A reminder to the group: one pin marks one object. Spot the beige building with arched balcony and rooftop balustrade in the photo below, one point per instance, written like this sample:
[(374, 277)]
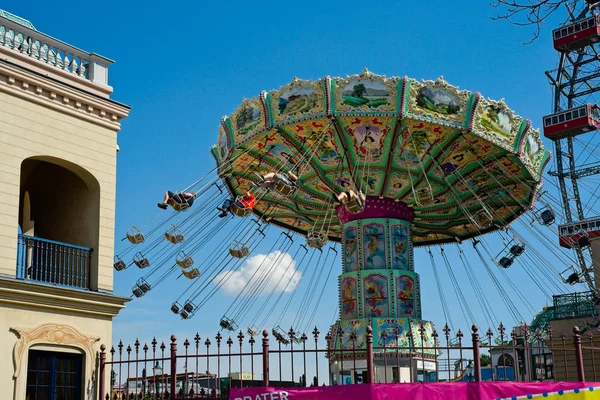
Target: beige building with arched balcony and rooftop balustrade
[(58, 153)]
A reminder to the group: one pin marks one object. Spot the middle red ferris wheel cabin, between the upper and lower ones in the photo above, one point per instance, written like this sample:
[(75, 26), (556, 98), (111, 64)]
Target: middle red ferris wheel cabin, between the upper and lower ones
[(571, 122)]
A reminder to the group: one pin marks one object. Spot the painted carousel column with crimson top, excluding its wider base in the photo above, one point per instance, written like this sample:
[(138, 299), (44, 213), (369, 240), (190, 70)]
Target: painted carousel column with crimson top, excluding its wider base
[(378, 278)]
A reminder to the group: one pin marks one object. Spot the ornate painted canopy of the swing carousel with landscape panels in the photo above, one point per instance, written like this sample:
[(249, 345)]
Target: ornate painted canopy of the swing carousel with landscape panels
[(450, 154)]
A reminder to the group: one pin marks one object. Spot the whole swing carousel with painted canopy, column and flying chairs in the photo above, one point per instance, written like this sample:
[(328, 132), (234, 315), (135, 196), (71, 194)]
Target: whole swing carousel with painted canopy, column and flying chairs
[(379, 166)]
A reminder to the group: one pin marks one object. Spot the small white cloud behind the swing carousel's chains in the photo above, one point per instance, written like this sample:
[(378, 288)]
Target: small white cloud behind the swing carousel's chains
[(273, 270)]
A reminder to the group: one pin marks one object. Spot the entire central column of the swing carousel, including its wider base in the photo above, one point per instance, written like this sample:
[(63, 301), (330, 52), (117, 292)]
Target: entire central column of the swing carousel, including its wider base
[(379, 288)]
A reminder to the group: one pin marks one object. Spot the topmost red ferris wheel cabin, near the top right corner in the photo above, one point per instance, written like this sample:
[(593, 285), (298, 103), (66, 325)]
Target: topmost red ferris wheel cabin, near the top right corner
[(577, 35)]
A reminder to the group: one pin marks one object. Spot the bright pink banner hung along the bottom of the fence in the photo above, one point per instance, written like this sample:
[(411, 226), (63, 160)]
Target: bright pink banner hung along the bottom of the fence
[(428, 391)]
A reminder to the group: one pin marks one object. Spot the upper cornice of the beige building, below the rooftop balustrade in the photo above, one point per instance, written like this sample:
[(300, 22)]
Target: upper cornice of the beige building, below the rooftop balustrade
[(48, 92)]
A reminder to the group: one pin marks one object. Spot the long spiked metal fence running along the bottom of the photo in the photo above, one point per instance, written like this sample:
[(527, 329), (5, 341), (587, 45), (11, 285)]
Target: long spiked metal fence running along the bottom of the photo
[(186, 374)]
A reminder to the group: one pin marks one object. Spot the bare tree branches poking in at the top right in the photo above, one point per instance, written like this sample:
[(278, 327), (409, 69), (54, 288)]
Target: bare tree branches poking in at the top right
[(530, 12)]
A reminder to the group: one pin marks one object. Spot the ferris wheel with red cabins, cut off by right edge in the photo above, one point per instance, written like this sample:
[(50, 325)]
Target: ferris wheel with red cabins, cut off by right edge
[(572, 127)]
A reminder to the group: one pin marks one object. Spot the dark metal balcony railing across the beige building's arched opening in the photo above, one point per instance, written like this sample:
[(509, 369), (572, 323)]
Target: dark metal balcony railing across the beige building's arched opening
[(47, 261)]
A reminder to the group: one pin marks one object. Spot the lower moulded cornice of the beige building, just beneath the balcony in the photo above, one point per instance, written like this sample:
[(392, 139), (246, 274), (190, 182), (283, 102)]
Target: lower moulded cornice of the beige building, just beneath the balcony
[(15, 291)]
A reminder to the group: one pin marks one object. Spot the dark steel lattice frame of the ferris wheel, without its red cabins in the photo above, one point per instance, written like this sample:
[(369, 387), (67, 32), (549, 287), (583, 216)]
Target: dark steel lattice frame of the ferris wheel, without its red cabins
[(568, 86)]
